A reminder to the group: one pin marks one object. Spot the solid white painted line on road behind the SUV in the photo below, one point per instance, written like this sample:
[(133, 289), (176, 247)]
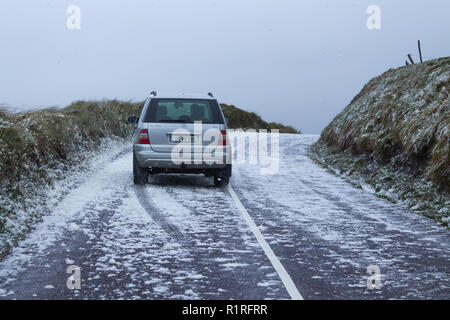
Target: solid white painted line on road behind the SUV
[(282, 273)]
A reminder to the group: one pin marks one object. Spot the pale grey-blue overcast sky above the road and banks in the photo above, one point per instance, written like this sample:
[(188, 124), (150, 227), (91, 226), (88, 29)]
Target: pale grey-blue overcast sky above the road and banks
[(299, 61)]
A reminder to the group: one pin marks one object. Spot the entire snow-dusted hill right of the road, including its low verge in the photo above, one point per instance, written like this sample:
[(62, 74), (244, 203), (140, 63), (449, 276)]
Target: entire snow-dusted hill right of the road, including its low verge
[(395, 136)]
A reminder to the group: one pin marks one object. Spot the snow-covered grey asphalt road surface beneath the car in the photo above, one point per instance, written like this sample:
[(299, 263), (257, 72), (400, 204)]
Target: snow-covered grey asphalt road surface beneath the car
[(179, 237)]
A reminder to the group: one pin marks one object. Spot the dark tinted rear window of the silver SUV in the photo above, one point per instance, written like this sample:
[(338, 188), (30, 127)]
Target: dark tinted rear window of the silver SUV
[(184, 111)]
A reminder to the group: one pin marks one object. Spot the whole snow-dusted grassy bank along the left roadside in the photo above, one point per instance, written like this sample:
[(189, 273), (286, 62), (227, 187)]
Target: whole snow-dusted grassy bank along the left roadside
[(41, 147)]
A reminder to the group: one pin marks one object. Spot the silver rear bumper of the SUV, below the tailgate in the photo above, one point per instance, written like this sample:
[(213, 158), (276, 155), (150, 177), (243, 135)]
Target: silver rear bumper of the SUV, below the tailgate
[(147, 158)]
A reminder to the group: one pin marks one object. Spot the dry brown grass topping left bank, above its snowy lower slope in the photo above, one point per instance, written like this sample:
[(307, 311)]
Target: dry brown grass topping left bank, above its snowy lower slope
[(49, 137)]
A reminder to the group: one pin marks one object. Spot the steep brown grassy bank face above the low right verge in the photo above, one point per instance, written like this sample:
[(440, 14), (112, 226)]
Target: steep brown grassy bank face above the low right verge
[(402, 115)]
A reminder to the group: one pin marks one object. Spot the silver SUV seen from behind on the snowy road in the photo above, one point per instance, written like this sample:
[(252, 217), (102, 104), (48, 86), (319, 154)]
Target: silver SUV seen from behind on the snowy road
[(181, 134)]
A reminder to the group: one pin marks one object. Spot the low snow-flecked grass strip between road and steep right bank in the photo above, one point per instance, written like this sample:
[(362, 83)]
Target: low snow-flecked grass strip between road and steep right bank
[(416, 193)]
